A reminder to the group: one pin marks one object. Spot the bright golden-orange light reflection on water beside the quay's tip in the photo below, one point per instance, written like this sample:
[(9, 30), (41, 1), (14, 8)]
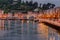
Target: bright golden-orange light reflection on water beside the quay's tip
[(42, 31)]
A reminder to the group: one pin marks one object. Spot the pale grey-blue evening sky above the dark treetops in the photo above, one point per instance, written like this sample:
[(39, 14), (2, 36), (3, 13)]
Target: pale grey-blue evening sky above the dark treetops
[(56, 2)]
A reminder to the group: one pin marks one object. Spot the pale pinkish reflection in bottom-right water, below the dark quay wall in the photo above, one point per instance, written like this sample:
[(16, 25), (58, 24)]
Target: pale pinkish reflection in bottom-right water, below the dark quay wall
[(54, 35)]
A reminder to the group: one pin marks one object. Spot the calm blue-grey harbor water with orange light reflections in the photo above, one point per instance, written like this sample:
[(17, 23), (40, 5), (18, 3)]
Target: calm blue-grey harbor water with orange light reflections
[(26, 30)]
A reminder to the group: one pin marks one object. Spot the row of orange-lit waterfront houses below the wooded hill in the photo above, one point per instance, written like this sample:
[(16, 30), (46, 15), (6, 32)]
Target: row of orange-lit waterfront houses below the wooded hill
[(51, 13)]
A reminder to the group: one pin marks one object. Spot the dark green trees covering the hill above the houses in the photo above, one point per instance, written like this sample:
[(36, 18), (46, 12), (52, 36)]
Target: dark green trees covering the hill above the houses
[(8, 5)]
